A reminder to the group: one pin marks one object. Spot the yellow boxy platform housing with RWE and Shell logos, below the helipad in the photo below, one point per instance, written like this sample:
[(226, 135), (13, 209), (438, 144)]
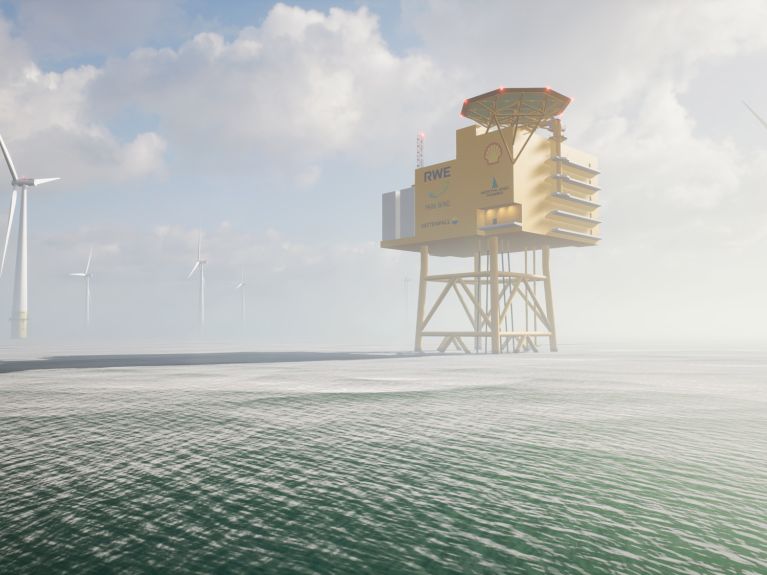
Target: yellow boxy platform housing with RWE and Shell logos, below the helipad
[(473, 196)]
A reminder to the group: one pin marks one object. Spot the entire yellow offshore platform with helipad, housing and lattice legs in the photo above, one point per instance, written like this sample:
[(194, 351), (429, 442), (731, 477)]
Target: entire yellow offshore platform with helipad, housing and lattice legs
[(513, 187)]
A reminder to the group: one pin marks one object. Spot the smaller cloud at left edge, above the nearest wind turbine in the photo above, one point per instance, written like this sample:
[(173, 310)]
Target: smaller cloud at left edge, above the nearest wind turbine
[(46, 120)]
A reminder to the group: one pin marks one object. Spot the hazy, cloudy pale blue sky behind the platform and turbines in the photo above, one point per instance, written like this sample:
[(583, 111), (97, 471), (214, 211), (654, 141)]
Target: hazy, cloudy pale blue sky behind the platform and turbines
[(273, 130)]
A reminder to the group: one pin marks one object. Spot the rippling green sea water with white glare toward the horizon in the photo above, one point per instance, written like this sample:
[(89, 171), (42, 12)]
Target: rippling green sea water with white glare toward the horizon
[(622, 462)]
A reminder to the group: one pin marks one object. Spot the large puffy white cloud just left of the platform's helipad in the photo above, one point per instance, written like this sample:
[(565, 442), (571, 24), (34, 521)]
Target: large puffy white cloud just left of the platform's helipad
[(301, 87)]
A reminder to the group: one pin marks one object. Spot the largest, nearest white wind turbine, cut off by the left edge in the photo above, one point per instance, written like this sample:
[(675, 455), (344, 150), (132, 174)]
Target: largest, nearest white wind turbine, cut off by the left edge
[(20, 310)]
